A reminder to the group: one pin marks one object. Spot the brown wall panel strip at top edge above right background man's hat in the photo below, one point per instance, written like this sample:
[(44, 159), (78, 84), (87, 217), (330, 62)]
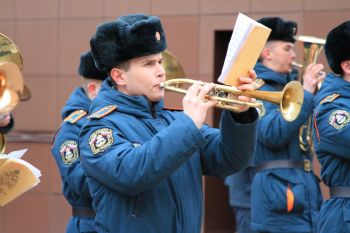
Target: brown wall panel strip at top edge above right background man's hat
[(271, 6)]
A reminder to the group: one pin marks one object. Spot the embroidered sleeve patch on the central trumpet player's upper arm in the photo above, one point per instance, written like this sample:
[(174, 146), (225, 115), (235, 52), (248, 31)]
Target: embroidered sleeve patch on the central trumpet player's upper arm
[(100, 140)]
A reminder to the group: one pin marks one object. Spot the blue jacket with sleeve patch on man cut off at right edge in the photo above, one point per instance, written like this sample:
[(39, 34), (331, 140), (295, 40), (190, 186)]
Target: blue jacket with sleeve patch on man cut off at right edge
[(331, 141)]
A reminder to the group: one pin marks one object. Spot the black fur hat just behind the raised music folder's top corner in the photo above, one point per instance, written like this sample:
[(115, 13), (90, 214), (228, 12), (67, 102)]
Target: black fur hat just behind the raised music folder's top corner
[(280, 29)]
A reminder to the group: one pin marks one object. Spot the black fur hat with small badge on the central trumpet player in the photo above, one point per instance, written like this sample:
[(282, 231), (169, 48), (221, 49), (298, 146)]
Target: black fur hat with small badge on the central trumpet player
[(128, 37)]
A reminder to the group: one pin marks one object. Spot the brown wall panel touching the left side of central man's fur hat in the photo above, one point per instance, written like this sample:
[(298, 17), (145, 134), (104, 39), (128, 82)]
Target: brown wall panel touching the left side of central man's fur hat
[(74, 39)]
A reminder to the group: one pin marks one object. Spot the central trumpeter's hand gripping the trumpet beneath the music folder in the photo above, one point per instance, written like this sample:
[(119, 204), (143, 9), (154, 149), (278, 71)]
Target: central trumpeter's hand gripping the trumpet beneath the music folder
[(244, 83)]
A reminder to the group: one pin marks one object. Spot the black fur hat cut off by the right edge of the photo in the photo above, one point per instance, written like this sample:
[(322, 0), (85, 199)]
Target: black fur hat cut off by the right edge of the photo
[(337, 47)]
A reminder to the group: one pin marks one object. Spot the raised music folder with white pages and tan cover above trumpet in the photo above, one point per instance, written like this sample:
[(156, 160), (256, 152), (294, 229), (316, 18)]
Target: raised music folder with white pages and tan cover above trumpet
[(246, 43)]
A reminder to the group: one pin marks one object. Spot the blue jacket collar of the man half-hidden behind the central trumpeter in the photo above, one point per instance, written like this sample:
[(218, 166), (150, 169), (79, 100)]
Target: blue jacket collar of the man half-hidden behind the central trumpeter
[(77, 101)]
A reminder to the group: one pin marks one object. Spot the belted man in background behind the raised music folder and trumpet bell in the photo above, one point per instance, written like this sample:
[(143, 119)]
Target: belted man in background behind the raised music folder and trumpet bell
[(285, 195)]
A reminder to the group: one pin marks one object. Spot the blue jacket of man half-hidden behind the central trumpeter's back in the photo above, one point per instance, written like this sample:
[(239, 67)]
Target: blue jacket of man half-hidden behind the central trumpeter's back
[(67, 156)]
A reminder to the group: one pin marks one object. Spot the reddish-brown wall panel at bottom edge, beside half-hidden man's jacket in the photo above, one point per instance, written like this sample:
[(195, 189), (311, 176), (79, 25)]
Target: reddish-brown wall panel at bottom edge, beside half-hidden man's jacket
[(59, 212)]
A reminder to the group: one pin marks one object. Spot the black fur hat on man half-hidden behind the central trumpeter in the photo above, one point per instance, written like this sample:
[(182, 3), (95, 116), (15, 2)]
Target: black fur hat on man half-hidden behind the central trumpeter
[(87, 68)]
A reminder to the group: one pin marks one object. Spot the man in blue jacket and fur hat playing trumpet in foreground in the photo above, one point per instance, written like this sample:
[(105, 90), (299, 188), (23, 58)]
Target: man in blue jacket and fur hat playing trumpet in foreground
[(145, 163)]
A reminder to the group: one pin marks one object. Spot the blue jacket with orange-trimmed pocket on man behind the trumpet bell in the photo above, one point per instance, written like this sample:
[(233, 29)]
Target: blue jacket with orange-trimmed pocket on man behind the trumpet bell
[(279, 139)]
